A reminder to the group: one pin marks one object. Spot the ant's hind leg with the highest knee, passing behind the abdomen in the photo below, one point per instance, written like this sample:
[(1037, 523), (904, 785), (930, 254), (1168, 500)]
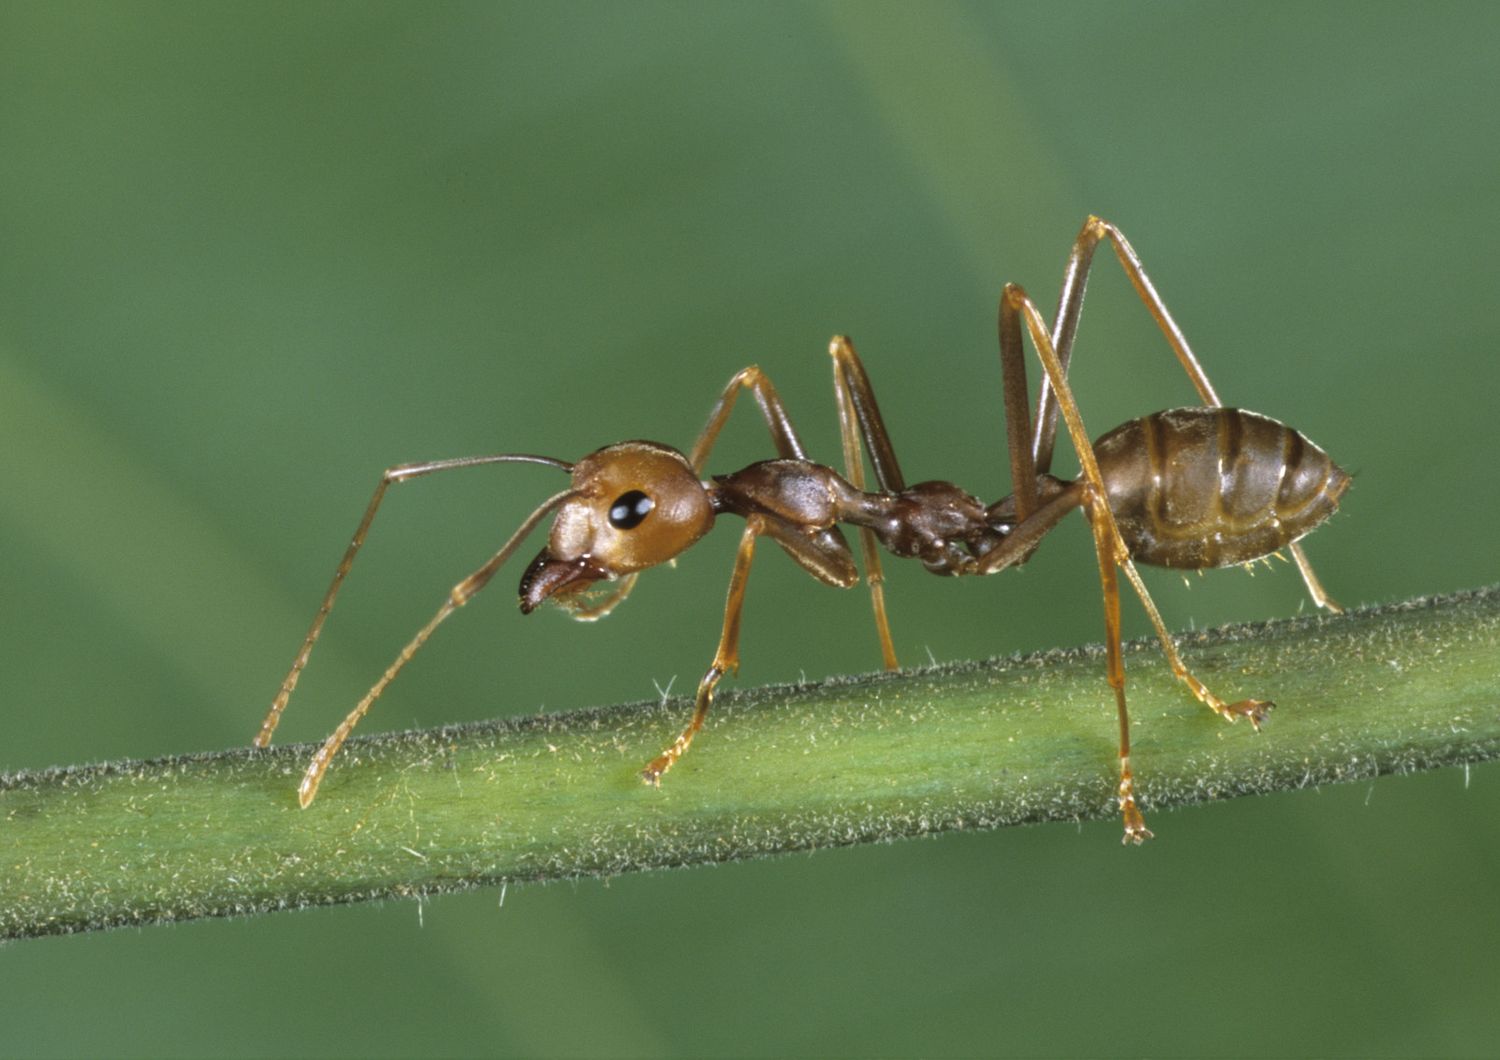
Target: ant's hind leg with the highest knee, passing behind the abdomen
[(1070, 307)]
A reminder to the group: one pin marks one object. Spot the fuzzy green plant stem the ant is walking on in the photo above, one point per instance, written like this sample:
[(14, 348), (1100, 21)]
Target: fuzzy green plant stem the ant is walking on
[(974, 746)]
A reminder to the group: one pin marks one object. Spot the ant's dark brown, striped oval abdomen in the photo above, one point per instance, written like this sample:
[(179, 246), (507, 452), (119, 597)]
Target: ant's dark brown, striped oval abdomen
[(1196, 488)]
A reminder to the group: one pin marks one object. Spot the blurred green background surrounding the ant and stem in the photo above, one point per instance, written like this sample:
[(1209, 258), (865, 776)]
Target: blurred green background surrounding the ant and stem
[(251, 256)]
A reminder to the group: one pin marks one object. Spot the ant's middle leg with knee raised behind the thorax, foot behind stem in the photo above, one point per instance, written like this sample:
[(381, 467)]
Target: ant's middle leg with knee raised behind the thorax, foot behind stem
[(860, 419)]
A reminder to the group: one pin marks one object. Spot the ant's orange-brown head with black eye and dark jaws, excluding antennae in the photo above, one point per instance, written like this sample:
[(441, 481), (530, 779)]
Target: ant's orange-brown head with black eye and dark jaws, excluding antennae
[(634, 506)]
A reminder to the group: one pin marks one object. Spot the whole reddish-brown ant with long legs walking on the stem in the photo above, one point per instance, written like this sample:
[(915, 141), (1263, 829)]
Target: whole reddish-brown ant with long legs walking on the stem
[(1189, 488)]
